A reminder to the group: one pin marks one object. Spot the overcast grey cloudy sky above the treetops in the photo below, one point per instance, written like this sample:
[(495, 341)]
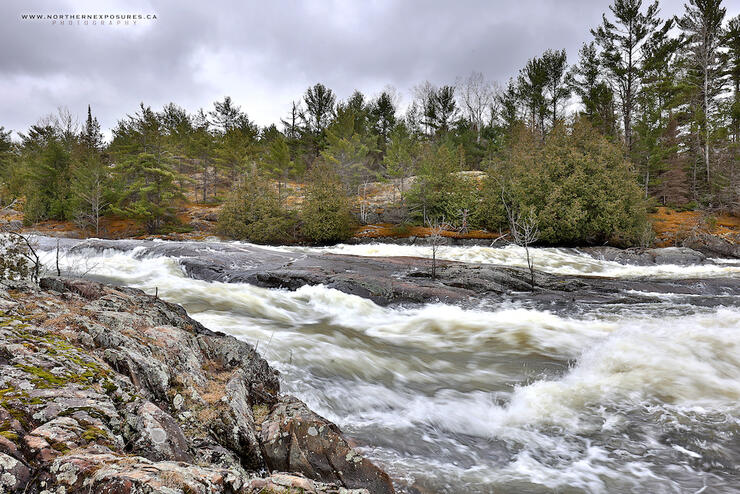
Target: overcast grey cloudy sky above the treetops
[(265, 53)]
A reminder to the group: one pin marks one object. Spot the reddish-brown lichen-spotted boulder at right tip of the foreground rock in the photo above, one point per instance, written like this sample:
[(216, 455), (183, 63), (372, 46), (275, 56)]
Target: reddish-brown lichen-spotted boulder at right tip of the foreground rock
[(295, 439)]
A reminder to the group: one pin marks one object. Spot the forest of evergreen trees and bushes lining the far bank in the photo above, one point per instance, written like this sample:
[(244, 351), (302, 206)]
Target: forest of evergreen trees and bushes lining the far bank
[(647, 113)]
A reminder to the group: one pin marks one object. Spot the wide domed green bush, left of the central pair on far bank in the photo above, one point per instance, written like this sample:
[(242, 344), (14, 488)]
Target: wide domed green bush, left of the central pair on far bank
[(253, 212)]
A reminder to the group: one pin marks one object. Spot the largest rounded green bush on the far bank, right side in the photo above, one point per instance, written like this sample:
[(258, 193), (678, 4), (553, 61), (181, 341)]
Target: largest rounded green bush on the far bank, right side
[(583, 189)]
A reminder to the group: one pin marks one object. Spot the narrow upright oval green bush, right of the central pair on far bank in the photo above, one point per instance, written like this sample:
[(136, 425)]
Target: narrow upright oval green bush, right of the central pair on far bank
[(326, 211)]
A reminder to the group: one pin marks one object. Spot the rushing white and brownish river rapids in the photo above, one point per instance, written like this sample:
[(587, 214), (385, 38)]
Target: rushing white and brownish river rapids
[(503, 397)]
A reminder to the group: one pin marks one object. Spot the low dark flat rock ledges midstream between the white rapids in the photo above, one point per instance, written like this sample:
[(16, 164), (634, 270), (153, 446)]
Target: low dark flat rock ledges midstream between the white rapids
[(394, 280)]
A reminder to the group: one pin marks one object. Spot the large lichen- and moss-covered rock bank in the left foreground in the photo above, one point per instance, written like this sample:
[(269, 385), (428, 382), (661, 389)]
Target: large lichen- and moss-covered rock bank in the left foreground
[(109, 390)]
